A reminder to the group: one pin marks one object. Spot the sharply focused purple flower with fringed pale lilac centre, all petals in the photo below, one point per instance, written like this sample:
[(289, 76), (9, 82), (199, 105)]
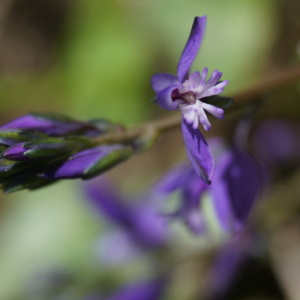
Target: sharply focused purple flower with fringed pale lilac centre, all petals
[(192, 95)]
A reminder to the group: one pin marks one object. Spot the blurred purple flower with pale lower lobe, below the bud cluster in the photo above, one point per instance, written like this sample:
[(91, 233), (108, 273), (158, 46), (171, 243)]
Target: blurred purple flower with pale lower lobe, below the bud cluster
[(140, 226)]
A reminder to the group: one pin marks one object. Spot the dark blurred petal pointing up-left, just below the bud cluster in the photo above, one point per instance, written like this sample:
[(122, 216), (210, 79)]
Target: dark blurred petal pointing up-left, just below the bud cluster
[(107, 201)]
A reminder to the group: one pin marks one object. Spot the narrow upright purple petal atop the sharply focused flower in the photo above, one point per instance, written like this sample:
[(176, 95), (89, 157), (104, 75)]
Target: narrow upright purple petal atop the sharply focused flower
[(191, 48)]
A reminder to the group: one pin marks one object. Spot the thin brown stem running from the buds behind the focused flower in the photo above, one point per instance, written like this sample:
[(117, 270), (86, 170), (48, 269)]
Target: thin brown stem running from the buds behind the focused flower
[(273, 81)]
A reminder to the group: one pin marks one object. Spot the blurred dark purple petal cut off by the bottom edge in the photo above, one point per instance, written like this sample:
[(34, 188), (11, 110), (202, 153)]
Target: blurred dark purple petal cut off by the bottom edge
[(149, 290)]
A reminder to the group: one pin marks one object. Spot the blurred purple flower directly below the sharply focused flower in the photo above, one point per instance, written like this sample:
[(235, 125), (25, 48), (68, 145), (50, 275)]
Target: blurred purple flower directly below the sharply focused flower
[(236, 185)]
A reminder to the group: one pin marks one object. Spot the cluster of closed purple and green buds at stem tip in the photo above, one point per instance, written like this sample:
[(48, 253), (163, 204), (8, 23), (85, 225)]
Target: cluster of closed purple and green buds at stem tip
[(40, 148)]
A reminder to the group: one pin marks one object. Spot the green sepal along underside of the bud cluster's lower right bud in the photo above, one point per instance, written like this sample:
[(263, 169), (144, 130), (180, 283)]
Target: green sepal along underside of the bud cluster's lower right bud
[(107, 162)]
